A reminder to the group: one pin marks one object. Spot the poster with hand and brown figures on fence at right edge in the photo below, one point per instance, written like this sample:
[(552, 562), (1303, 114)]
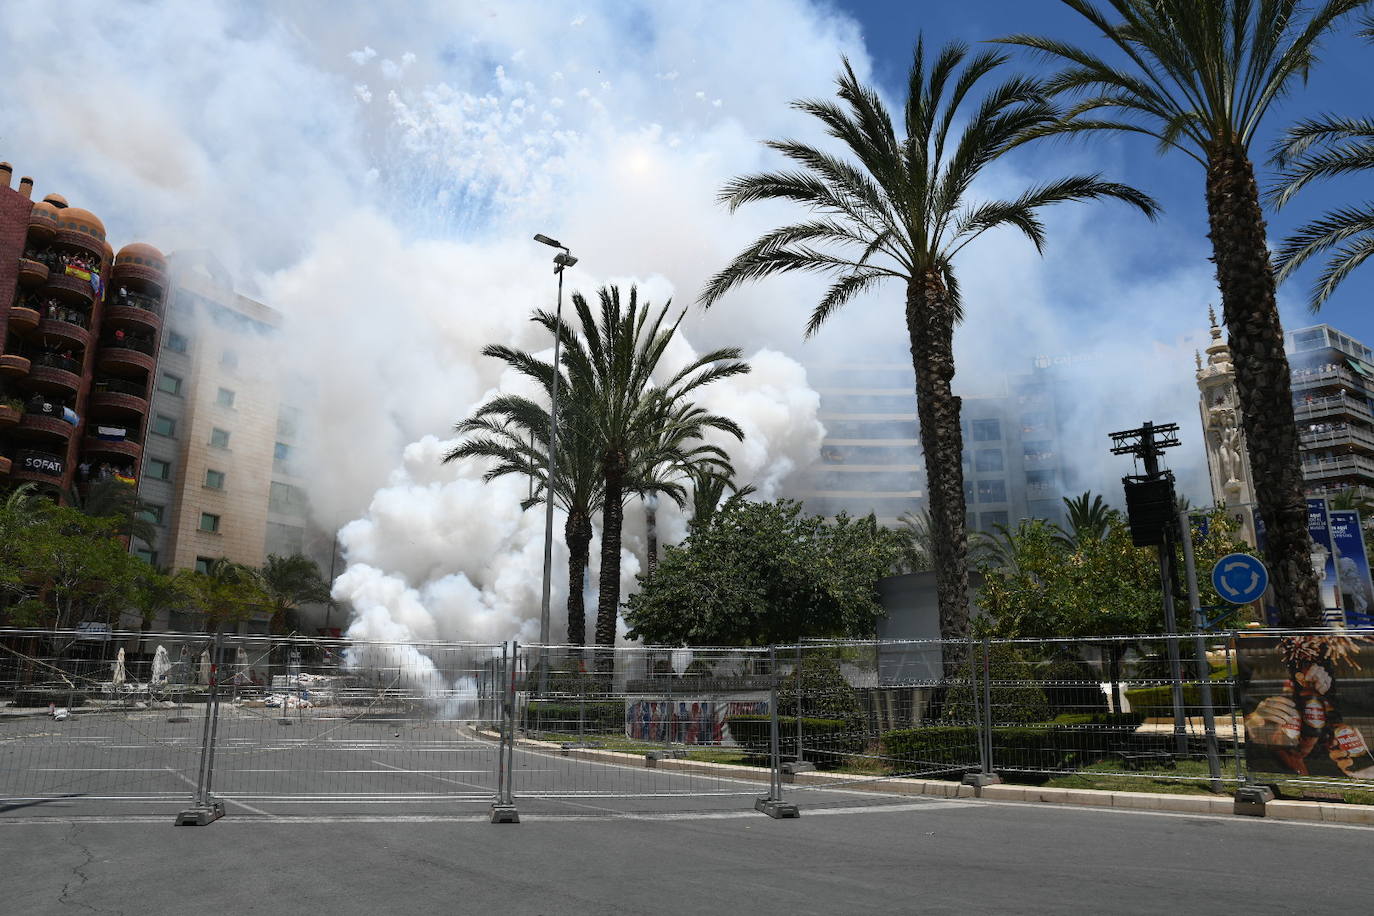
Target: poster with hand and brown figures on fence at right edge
[(1309, 705)]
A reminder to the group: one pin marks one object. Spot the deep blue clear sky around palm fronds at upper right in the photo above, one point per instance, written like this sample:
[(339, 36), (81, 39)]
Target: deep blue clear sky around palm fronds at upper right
[(1338, 84)]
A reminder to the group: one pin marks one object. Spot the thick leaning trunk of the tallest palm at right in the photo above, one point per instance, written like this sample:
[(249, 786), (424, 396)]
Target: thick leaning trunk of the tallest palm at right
[(1262, 380)]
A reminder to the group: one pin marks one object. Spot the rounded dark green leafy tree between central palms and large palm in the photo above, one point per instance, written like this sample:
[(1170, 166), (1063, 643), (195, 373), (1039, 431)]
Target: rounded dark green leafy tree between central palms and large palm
[(762, 573)]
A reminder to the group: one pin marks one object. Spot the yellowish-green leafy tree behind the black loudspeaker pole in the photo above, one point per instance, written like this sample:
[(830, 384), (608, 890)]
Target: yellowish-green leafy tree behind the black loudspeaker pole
[(1096, 588)]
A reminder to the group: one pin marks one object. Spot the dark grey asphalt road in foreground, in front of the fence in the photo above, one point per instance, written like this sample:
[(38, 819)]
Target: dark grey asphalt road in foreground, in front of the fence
[(919, 856)]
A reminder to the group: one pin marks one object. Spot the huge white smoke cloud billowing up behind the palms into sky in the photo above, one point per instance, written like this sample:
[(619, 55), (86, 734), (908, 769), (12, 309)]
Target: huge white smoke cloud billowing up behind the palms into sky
[(377, 179)]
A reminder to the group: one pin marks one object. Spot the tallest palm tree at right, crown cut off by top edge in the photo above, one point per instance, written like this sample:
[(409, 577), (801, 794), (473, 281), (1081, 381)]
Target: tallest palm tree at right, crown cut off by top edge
[(1200, 76)]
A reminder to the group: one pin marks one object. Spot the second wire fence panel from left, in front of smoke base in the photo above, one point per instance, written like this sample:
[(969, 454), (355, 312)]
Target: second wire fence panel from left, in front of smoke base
[(307, 720)]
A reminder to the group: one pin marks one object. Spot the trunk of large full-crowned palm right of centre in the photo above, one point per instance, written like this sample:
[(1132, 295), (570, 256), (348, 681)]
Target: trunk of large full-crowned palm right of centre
[(931, 326)]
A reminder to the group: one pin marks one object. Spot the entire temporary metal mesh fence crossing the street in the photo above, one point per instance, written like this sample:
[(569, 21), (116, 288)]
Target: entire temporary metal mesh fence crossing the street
[(297, 724)]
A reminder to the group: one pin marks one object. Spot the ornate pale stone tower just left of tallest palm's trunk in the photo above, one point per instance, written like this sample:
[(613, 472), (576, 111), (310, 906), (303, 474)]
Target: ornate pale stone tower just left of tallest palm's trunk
[(1228, 457)]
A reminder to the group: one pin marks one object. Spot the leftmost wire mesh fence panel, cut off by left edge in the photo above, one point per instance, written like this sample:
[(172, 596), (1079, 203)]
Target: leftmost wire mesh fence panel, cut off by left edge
[(80, 724)]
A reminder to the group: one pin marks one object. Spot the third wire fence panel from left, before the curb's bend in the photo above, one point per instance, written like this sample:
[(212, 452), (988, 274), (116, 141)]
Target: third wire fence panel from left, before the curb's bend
[(642, 723)]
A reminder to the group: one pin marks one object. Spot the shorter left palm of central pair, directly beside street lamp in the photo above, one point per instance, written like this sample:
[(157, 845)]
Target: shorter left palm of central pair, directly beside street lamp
[(513, 432)]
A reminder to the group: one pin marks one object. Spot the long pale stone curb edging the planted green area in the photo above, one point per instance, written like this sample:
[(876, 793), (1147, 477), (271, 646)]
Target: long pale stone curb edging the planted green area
[(1291, 811)]
